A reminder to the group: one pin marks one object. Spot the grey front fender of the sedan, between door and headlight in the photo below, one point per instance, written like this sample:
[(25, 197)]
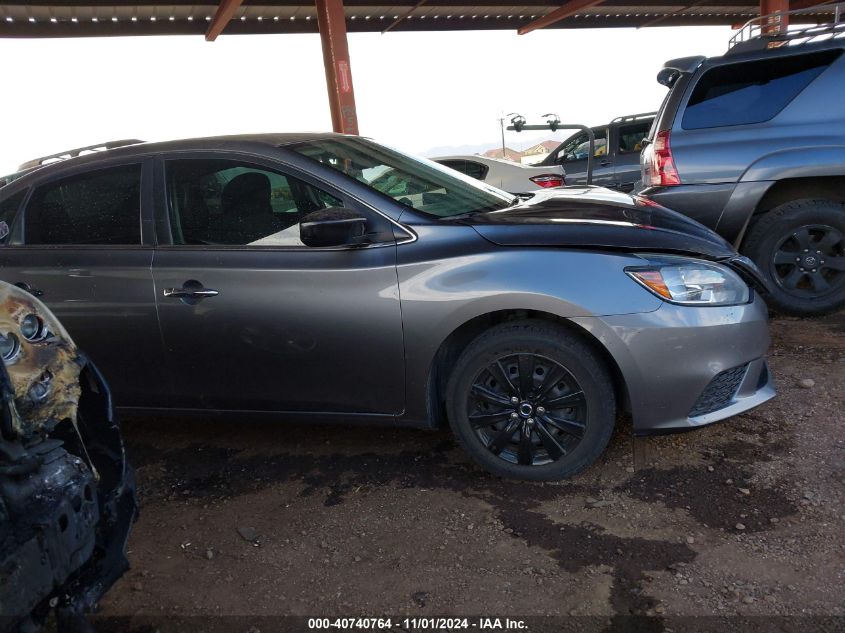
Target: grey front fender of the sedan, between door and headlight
[(440, 294)]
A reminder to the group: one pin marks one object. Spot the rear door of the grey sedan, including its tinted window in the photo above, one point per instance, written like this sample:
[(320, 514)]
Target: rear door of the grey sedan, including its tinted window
[(80, 243)]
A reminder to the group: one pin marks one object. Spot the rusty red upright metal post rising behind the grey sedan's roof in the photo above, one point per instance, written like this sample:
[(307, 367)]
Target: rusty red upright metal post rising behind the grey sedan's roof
[(332, 23)]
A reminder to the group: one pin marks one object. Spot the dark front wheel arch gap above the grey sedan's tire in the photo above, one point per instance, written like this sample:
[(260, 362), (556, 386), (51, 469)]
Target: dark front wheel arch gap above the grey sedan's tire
[(459, 338)]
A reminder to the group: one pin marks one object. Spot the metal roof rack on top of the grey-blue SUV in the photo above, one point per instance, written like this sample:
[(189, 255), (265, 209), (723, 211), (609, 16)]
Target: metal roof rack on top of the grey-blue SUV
[(765, 32)]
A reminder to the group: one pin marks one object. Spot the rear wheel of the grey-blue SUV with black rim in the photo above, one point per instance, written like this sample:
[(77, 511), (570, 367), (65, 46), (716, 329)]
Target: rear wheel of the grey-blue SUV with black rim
[(800, 248)]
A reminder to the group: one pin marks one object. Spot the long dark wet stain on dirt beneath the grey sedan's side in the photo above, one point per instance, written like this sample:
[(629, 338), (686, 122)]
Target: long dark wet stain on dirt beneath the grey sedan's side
[(204, 473)]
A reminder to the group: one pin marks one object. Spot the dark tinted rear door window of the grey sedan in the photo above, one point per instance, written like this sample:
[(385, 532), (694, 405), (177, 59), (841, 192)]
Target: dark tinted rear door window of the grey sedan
[(100, 207)]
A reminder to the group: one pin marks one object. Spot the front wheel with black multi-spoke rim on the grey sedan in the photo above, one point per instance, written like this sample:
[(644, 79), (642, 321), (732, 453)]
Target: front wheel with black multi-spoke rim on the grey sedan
[(560, 365)]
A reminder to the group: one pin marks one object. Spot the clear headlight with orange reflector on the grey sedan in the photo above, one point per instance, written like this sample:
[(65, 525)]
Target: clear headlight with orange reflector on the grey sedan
[(690, 281)]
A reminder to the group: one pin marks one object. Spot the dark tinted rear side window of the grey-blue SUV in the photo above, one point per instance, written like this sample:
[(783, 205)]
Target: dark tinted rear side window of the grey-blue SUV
[(751, 92)]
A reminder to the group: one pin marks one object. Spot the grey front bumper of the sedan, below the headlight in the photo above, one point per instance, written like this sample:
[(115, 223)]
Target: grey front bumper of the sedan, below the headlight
[(685, 367)]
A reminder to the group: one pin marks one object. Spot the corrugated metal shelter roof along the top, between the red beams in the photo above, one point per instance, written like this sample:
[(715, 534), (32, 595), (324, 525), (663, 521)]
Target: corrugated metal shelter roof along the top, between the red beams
[(104, 18)]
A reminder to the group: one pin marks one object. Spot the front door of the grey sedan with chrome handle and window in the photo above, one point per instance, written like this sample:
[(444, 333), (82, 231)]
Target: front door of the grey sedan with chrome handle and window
[(270, 324)]
